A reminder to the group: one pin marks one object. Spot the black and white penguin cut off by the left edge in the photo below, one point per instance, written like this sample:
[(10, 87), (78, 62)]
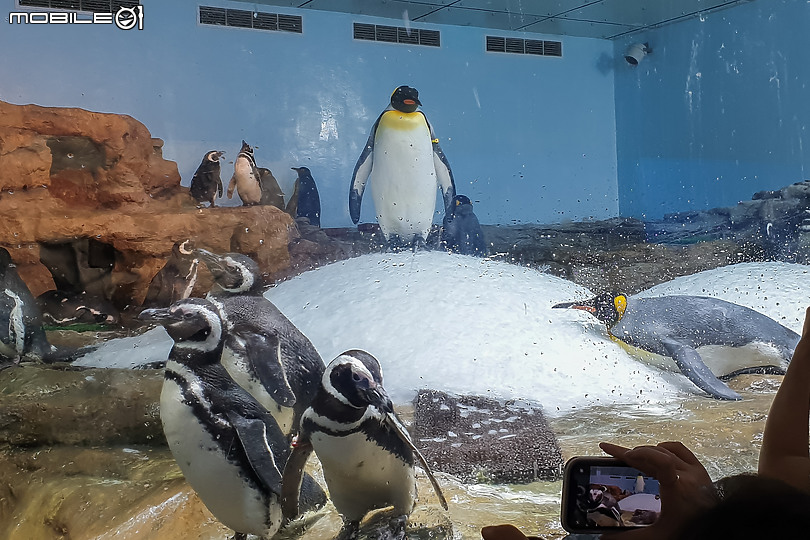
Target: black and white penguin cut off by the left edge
[(21, 333)]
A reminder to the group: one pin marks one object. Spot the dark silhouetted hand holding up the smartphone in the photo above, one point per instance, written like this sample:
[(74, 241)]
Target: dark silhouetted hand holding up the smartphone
[(685, 486)]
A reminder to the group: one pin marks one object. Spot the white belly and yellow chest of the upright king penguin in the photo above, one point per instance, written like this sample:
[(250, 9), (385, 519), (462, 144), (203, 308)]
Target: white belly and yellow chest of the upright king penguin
[(403, 177)]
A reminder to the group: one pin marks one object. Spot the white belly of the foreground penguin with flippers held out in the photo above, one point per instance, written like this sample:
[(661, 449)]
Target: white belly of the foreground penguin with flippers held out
[(362, 476)]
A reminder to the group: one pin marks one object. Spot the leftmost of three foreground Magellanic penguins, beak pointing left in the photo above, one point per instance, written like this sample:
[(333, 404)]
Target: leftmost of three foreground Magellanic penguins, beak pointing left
[(230, 450)]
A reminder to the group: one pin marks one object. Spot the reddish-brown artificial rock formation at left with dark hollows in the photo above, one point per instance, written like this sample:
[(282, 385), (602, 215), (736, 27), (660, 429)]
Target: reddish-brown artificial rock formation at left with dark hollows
[(75, 181)]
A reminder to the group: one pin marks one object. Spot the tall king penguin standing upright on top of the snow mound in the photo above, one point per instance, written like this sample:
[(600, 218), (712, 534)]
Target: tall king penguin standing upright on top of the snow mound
[(405, 163)]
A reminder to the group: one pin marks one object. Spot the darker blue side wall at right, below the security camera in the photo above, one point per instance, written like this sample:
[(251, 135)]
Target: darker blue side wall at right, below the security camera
[(718, 111)]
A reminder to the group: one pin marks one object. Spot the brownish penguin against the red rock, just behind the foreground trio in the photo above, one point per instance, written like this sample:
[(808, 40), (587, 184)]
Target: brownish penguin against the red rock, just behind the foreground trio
[(176, 280)]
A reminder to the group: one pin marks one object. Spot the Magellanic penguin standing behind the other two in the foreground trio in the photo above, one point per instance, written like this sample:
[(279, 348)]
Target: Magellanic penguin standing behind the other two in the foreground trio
[(275, 363)]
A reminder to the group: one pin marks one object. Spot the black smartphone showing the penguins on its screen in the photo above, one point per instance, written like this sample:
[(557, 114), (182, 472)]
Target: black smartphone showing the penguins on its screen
[(603, 494)]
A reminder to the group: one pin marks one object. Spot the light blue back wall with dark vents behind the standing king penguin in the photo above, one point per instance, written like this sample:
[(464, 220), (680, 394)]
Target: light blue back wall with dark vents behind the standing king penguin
[(531, 139)]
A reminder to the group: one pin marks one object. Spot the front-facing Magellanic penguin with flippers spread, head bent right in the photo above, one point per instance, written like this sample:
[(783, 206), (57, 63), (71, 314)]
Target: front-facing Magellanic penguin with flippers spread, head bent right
[(366, 453)]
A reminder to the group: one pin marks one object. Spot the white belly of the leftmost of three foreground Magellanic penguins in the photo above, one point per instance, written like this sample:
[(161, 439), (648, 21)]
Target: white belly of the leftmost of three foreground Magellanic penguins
[(216, 481)]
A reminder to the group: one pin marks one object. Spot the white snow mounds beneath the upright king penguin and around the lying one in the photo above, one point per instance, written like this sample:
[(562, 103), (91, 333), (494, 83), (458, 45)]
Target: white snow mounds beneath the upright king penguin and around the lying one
[(475, 326)]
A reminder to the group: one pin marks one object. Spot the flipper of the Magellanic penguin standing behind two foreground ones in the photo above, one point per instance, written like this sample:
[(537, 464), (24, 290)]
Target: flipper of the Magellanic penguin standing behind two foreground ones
[(264, 350)]
